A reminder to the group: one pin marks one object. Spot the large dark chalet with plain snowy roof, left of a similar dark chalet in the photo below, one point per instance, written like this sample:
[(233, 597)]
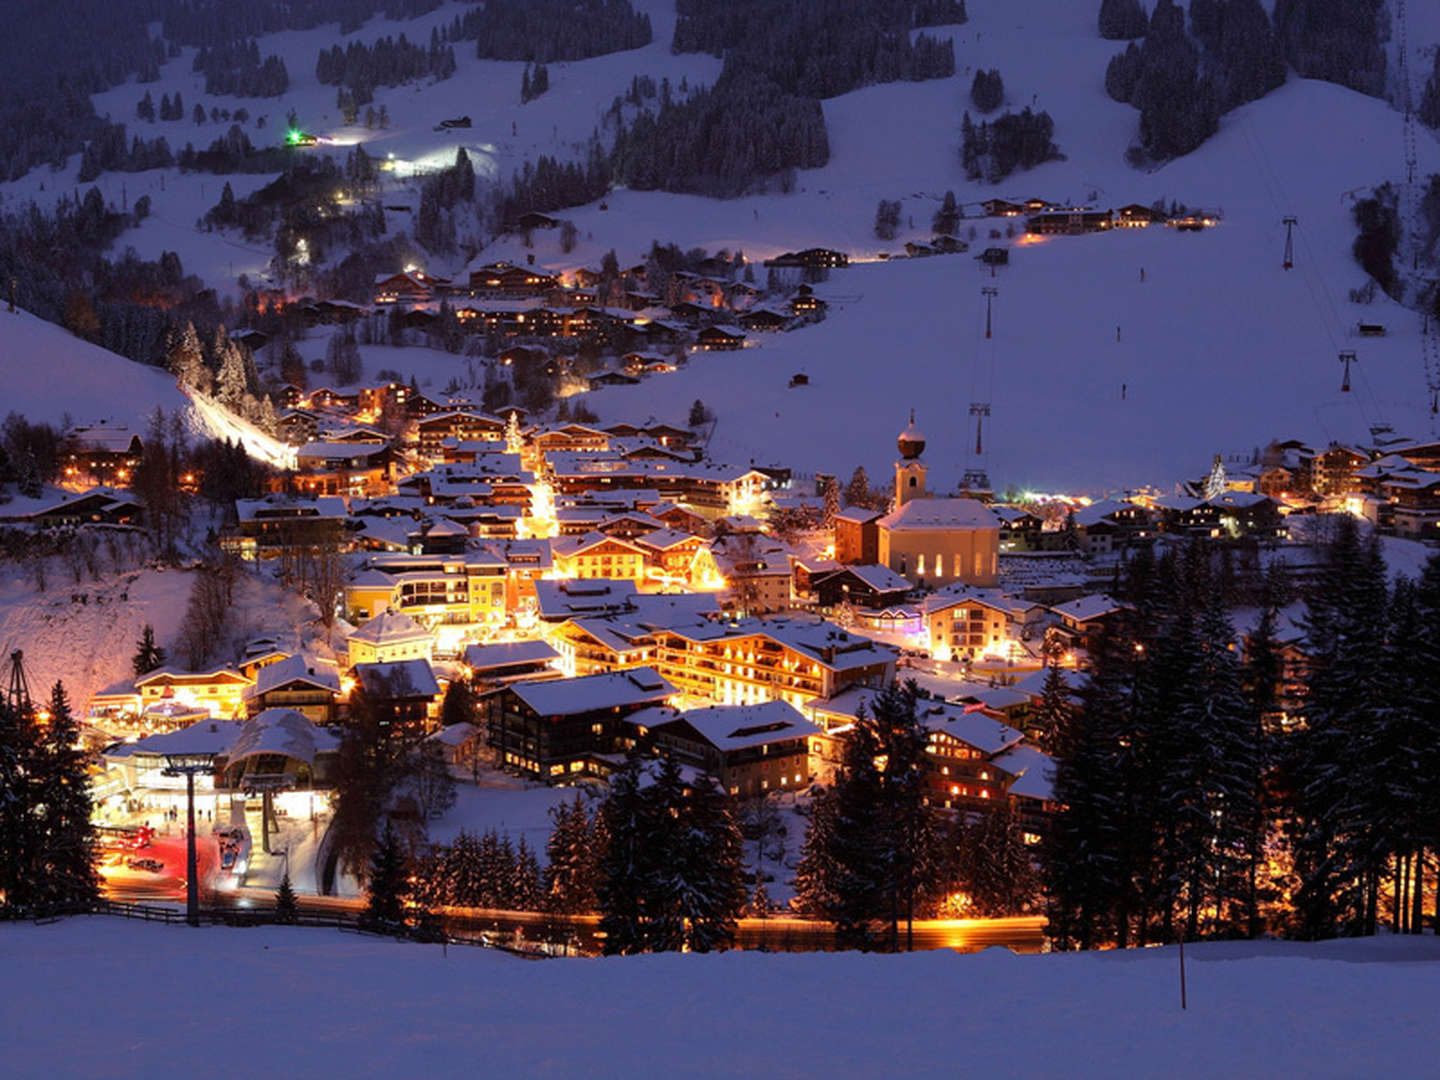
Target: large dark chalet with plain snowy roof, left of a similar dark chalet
[(564, 731)]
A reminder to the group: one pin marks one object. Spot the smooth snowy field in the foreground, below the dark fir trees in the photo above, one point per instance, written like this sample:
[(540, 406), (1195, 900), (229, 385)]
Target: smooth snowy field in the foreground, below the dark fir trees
[(100, 997)]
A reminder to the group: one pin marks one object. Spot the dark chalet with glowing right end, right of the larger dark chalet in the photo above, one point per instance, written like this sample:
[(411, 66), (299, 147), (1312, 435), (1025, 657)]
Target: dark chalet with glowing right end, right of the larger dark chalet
[(751, 750)]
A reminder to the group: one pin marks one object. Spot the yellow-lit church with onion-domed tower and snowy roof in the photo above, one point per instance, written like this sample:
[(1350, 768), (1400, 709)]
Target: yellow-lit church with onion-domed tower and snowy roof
[(937, 542)]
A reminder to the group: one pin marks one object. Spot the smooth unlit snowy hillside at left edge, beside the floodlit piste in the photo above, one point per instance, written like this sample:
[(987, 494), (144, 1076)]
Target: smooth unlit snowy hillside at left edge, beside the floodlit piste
[(48, 374)]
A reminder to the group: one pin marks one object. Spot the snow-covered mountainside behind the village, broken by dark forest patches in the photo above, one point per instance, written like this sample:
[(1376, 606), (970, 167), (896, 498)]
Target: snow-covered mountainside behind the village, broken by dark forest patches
[(1220, 351)]
